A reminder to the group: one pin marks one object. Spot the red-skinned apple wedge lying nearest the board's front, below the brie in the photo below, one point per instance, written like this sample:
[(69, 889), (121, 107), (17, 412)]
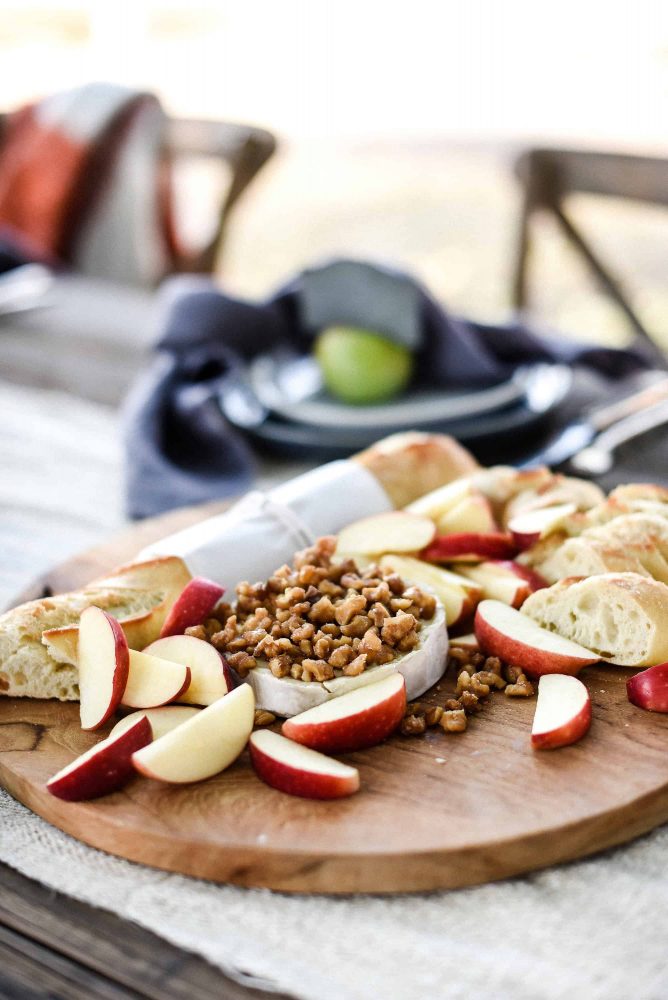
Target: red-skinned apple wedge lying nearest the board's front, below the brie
[(297, 770)]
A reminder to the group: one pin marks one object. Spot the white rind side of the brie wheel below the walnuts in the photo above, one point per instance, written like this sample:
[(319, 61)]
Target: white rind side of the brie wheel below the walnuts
[(421, 668)]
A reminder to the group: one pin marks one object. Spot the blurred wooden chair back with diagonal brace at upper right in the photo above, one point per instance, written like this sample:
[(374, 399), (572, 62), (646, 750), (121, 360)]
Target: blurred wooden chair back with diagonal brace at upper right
[(549, 176)]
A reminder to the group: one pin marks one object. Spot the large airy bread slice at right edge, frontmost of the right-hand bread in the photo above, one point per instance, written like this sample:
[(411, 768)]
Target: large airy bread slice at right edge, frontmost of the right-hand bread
[(621, 616)]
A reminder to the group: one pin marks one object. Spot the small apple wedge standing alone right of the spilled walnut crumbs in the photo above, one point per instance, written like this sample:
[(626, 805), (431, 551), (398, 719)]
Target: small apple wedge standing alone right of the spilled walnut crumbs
[(563, 712)]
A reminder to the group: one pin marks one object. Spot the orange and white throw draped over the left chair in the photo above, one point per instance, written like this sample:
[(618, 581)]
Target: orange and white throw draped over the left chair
[(84, 183)]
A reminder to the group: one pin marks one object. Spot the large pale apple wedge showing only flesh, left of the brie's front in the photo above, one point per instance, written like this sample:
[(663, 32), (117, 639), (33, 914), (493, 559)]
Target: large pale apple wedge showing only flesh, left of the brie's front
[(204, 745)]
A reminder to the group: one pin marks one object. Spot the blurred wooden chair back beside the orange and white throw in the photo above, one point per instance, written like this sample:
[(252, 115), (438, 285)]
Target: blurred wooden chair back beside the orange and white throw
[(244, 149)]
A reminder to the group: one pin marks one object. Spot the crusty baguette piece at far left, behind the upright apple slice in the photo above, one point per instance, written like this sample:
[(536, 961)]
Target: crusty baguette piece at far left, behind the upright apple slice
[(38, 640)]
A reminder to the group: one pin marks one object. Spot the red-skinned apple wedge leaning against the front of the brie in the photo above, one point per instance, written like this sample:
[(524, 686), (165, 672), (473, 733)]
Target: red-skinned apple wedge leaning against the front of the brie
[(353, 721)]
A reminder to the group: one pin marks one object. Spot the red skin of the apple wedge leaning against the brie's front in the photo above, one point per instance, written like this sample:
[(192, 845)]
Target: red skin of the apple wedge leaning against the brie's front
[(355, 732)]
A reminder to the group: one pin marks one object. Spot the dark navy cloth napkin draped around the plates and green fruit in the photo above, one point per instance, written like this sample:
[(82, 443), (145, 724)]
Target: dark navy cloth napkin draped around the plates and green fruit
[(180, 449)]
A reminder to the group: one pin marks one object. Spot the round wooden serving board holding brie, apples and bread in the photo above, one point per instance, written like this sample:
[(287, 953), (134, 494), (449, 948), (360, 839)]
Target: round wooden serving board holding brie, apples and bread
[(439, 811)]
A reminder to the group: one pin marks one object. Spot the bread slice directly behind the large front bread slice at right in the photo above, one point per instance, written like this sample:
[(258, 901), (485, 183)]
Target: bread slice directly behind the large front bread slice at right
[(588, 557)]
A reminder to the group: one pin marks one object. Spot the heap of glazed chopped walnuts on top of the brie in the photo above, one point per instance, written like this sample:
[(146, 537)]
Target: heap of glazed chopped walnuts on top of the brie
[(319, 619)]
